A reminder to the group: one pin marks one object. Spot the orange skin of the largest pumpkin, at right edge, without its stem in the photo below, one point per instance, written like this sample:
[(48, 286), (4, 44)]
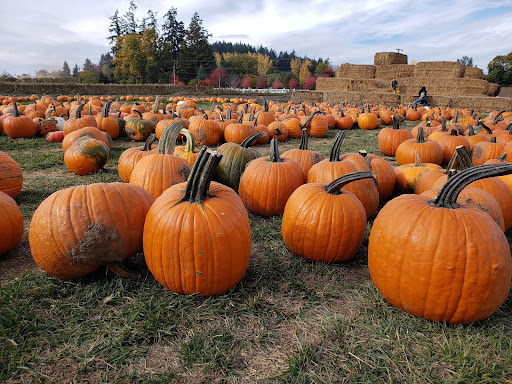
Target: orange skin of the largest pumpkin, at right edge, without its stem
[(467, 281)]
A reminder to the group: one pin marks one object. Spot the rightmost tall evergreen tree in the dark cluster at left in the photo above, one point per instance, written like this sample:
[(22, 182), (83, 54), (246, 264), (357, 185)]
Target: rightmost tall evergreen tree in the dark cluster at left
[(195, 50)]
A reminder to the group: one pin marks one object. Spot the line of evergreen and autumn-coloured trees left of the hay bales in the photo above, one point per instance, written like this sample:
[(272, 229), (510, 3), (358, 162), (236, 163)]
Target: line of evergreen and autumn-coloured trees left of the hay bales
[(146, 51)]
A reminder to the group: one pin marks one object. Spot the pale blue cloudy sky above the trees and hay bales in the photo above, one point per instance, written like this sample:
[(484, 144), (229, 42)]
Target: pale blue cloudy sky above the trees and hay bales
[(42, 36)]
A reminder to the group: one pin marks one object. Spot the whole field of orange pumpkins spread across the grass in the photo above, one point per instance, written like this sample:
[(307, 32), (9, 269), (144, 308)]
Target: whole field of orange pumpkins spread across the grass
[(418, 201)]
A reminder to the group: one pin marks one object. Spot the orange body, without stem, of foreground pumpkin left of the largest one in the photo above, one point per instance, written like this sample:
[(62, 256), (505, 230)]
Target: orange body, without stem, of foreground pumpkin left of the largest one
[(320, 226)]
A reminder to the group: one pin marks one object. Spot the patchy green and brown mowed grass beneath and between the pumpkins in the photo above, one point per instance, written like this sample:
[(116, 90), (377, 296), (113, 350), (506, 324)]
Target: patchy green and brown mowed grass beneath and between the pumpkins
[(287, 321)]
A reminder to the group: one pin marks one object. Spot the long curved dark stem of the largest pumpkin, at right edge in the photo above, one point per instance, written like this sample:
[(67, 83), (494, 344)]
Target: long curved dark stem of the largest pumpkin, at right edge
[(447, 196)]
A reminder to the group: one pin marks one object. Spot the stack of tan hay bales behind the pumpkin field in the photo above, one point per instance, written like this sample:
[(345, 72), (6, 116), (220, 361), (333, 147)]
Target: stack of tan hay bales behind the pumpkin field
[(447, 83)]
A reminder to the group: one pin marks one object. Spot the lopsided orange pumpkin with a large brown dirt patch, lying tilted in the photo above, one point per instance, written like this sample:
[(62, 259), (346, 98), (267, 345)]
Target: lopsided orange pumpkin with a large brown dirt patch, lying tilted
[(77, 229)]
